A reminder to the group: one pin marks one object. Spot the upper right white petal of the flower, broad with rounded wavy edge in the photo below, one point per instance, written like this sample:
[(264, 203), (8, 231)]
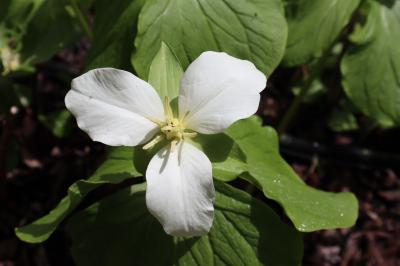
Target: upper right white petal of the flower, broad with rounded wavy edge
[(217, 90)]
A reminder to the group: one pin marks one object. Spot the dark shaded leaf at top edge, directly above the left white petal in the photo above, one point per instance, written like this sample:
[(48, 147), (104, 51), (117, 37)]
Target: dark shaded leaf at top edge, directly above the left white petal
[(113, 31)]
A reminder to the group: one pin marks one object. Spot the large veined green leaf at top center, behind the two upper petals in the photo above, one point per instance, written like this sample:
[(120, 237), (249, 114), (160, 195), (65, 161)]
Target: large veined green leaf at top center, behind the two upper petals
[(248, 29)]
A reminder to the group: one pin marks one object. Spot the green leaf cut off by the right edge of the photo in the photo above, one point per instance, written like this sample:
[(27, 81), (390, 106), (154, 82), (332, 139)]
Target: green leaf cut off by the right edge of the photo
[(371, 68)]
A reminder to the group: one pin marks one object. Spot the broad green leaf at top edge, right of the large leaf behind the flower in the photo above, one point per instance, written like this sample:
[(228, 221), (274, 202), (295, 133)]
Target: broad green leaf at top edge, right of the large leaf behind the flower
[(314, 26)]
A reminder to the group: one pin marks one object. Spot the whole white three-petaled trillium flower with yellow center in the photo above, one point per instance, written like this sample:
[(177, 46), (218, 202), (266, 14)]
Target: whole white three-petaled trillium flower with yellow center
[(117, 108)]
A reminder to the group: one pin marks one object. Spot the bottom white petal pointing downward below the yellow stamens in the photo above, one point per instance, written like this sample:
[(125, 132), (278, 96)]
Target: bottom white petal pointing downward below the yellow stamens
[(180, 190)]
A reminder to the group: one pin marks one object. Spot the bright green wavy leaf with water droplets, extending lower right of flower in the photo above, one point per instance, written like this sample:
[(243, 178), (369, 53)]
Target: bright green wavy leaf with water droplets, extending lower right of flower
[(308, 208)]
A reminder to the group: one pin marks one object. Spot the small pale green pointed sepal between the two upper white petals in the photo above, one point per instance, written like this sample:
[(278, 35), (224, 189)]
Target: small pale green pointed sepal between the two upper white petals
[(165, 73)]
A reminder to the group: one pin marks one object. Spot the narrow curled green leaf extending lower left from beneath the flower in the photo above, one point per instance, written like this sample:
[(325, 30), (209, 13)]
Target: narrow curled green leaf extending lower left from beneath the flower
[(114, 170)]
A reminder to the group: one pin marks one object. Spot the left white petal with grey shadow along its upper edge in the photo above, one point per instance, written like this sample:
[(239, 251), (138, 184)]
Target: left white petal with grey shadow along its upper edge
[(113, 106)]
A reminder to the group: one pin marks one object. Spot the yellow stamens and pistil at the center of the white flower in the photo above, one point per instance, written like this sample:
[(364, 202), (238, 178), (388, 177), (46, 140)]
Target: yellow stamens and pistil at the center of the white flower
[(172, 129)]
